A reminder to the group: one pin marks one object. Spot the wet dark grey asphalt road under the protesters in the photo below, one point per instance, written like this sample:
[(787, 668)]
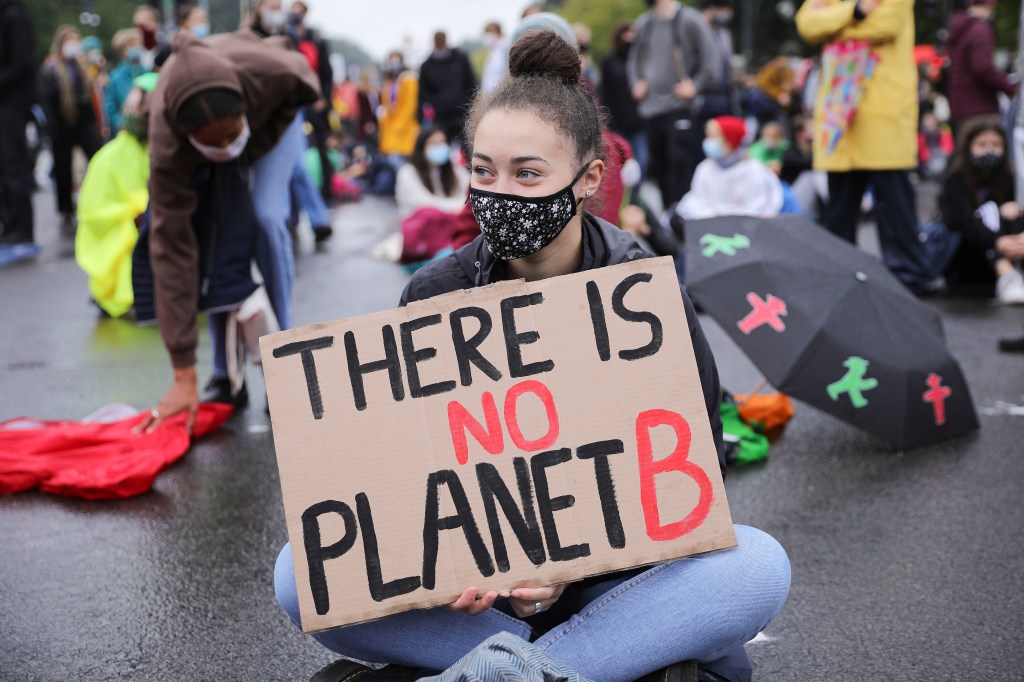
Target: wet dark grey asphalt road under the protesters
[(906, 566)]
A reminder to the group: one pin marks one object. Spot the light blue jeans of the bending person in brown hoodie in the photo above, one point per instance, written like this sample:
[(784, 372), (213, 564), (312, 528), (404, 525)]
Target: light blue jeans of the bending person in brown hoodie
[(273, 203)]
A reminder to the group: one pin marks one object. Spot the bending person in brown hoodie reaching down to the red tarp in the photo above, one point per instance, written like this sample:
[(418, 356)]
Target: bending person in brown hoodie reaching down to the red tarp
[(231, 99)]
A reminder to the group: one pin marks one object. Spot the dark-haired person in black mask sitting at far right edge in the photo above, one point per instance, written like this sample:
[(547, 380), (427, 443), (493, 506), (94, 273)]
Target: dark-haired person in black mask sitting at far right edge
[(977, 202)]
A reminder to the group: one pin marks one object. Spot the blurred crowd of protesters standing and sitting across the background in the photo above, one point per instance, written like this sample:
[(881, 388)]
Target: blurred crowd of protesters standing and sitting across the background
[(731, 81)]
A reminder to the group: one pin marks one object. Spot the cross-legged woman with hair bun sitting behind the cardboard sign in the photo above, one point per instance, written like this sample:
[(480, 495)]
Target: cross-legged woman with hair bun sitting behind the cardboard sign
[(536, 148)]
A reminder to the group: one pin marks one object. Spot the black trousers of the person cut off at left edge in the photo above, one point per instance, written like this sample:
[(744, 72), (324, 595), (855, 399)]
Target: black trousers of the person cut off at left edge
[(16, 177)]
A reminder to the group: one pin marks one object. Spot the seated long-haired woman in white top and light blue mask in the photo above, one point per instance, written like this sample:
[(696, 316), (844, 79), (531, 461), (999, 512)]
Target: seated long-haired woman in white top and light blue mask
[(431, 180)]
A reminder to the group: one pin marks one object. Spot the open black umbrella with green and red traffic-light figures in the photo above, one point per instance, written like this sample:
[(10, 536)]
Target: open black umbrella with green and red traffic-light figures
[(830, 325)]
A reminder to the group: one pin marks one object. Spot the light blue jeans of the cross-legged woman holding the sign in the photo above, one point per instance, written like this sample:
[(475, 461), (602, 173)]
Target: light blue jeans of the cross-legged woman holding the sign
[(695, 609)]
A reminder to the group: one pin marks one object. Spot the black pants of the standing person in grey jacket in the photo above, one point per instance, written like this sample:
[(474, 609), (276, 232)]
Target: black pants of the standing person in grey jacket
[(671, 143)]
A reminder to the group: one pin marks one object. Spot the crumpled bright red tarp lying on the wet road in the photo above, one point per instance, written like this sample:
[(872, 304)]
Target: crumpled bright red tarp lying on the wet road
[(96, 461)]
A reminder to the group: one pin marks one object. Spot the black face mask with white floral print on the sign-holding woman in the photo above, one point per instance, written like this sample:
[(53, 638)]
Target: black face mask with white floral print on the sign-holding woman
[(517, 227)]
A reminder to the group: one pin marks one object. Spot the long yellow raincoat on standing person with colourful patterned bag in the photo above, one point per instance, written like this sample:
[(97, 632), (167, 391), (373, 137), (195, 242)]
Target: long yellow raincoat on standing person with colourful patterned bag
[(884, 134)]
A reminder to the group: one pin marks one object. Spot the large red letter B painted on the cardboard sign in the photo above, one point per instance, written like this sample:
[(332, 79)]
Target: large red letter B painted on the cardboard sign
[(676, 461)]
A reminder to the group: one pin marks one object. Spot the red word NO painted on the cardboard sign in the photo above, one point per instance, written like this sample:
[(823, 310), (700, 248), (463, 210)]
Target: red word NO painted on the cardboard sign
[(490, 435)]
